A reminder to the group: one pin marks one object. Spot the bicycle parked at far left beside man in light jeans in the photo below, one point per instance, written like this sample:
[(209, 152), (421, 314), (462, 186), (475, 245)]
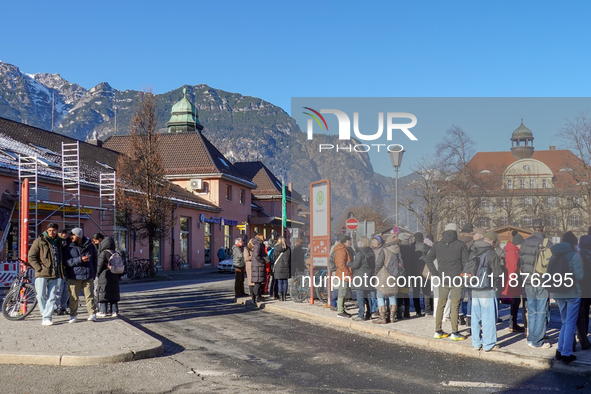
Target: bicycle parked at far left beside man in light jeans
[(21, 298)]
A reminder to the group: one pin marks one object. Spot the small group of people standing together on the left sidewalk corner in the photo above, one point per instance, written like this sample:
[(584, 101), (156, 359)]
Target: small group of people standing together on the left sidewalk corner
[(66, 264)]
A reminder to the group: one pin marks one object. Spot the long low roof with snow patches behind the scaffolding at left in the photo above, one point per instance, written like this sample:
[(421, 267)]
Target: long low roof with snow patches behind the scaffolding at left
[(18, 137)]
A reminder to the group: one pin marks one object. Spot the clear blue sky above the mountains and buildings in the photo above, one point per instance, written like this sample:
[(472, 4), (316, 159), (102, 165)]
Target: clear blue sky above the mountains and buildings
[(278, 50)]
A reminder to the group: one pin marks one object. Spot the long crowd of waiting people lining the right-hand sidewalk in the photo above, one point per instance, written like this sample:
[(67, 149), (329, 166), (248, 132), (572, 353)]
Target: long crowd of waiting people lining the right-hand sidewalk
[(465, 275)]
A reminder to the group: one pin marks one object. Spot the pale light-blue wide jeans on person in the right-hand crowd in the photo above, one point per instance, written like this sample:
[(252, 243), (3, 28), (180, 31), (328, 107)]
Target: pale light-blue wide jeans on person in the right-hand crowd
[(484, 315)]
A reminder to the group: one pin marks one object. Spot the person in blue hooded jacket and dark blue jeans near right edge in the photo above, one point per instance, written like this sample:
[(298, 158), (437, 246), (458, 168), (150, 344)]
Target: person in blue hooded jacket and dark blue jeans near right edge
[(568, 302)]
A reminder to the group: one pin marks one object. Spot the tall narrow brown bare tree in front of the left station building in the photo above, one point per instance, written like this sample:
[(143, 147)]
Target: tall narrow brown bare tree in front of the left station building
[(144, 192)]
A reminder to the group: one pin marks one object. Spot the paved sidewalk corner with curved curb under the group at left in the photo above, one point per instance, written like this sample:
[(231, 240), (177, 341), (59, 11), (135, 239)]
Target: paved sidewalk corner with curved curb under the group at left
[(105, 341)]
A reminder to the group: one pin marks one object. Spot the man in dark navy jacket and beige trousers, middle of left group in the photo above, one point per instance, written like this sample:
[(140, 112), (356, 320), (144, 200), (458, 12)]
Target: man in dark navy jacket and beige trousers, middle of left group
[(81, 266)]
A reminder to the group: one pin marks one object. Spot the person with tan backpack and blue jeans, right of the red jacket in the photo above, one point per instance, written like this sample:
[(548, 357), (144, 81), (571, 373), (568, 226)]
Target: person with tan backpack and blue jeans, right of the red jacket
[(535, 254)]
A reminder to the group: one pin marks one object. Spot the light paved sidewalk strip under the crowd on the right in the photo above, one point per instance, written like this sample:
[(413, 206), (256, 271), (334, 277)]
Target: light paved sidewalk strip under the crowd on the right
[(419, 332)]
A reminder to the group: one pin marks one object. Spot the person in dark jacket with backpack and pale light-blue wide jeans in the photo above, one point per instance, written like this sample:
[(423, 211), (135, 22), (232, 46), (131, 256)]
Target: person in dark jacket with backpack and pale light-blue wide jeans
[(484, 262)]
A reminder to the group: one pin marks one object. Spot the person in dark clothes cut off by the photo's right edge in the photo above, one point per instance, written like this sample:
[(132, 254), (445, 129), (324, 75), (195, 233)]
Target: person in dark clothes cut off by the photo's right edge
[(583, 318)]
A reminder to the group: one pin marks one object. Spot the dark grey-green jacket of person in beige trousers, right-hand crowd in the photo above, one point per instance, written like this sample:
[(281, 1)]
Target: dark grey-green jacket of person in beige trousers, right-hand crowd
[(451, 255)]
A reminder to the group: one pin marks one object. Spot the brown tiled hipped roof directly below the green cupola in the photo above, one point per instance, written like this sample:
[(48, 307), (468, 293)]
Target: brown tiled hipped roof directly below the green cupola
[(184, 153)]
